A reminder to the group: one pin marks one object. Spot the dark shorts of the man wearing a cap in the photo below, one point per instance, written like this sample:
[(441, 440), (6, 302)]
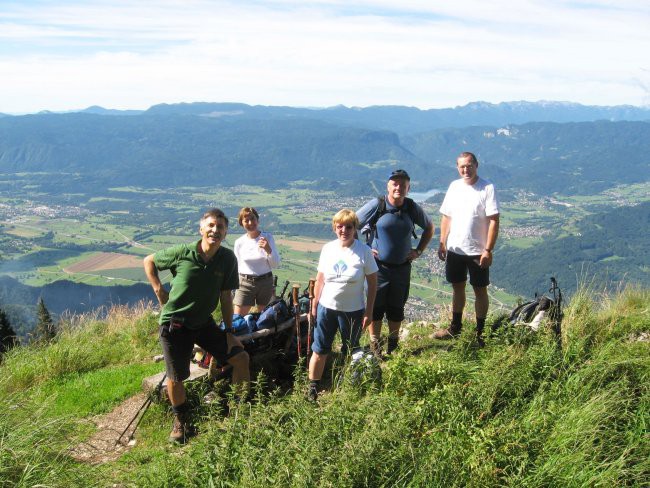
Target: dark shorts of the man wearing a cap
[(393, 286)]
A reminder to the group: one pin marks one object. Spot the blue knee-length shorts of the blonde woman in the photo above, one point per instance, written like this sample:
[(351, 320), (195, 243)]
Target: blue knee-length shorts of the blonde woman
[(328, 321)]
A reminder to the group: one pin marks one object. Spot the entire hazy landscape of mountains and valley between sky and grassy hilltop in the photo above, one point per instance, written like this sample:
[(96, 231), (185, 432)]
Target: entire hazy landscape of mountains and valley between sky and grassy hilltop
[(85, 195)]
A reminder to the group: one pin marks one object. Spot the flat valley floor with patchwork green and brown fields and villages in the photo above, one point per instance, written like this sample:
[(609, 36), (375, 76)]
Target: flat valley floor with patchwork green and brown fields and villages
[(101, 239)]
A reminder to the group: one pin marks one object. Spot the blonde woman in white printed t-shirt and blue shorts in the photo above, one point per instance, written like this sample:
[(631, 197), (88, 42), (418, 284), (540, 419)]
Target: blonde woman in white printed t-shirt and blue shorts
[(344, 267)]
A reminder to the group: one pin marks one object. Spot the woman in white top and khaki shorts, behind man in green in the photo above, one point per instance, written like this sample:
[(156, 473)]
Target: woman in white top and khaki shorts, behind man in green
[(256, 256)]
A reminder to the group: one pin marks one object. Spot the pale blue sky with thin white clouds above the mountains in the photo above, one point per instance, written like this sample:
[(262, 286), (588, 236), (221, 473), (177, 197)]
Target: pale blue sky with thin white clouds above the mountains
[(70, 54)]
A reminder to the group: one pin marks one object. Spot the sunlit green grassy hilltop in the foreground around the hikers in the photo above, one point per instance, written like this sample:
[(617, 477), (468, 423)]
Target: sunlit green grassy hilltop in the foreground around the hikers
[(520, 412)]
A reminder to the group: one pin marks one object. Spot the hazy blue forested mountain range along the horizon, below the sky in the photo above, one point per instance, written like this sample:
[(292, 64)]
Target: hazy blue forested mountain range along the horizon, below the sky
[(170, 145)]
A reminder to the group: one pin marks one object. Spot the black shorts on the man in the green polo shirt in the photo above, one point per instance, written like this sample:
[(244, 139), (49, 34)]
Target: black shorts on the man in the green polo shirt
[(178, 346)]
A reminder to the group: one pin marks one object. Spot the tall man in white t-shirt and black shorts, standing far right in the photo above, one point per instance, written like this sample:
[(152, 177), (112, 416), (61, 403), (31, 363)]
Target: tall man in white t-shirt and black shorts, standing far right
[(468, 232)]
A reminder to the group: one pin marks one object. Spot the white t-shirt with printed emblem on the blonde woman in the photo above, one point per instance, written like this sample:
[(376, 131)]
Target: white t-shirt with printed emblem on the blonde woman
[(345, 270)]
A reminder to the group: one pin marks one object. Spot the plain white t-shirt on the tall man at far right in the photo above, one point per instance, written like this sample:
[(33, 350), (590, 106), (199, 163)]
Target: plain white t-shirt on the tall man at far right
[(469, 207)]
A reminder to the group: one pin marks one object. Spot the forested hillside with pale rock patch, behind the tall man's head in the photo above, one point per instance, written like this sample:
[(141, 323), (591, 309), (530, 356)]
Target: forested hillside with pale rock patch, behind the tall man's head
[(546, 158)]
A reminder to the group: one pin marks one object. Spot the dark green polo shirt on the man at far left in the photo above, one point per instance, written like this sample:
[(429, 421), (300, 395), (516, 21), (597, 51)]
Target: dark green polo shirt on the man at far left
[(196, 285)]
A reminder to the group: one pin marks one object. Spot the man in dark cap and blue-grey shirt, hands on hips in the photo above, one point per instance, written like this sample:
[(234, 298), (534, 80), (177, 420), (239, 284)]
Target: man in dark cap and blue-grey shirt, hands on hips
[(394, 217)]
